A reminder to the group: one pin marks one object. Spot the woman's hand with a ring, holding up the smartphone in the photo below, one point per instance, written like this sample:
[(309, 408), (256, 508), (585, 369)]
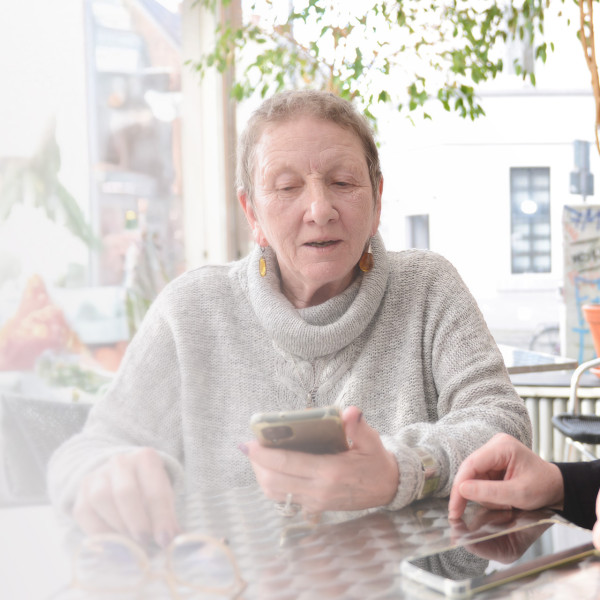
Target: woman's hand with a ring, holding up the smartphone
[(364, 476)]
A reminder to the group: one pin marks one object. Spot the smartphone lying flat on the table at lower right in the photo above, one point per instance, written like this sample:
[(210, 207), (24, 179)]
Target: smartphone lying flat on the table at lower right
[(464, 570)]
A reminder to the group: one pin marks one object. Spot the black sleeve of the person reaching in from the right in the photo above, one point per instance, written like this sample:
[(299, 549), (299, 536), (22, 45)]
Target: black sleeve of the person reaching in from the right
[(582, 482)]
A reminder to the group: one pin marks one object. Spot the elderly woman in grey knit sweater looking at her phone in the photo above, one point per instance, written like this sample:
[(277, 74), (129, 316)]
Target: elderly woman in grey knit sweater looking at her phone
[(318, 314)]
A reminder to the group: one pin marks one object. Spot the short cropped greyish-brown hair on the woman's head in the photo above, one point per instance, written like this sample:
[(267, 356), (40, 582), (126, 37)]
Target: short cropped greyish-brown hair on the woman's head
[(295, 103)]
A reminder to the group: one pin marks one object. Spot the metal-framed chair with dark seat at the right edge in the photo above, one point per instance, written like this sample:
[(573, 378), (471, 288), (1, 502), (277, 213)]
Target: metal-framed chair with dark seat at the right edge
[(578, 429)]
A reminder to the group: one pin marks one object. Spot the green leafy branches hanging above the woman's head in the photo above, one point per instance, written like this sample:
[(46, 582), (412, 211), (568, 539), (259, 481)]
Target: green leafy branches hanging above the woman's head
[(408, 53)]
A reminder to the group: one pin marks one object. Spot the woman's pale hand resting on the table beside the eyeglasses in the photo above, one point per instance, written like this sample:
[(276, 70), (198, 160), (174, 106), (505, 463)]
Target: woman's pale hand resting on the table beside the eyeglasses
[(130, 494)]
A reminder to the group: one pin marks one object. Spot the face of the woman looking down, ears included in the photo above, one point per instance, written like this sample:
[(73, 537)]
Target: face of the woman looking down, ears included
[(313, 205)]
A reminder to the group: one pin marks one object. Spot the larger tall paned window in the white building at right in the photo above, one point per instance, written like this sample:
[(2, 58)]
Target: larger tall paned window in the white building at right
[(530, 220)]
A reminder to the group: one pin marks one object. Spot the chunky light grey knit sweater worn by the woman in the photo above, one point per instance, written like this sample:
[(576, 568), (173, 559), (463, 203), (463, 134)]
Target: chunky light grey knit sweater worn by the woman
[(405, 342)]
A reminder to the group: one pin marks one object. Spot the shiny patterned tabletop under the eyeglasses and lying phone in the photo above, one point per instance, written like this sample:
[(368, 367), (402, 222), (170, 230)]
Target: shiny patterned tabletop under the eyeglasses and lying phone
[(345, 556)]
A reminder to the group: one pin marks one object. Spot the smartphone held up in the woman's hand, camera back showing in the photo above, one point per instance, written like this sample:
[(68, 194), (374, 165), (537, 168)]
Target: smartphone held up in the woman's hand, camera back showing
[(313, 430)]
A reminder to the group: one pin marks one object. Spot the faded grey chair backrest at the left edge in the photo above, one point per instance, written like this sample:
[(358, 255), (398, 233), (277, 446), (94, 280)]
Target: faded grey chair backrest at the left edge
[(31, 429)]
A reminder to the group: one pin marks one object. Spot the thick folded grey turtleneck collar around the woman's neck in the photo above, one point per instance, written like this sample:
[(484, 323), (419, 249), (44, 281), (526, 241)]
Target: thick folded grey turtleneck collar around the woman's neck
[(318, 330)]
